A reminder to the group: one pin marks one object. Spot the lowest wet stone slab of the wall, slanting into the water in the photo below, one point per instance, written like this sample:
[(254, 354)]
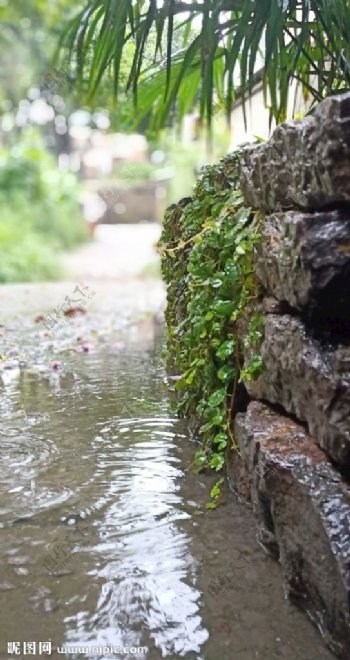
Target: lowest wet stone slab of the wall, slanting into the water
[(303, 509)]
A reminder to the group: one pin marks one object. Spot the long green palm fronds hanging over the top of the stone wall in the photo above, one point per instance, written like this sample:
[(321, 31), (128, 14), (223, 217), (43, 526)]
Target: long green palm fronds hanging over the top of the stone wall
[(210, 51)]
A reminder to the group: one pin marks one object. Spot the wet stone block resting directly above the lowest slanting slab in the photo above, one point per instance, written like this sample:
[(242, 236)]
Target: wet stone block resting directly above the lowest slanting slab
[(308, 380)]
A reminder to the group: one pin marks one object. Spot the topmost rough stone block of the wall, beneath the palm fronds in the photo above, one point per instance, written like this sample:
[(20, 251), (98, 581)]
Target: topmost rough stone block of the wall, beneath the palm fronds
[(305, 164)]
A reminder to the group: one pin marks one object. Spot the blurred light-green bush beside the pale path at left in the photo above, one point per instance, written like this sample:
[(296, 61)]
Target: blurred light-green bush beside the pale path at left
[(40, 213)]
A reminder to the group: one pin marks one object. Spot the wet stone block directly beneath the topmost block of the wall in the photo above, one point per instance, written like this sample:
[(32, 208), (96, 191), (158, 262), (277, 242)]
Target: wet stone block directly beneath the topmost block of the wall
[(304, 259)]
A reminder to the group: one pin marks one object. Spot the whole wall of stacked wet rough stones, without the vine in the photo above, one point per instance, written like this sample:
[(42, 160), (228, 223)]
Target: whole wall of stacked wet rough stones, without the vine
[(293, 462)]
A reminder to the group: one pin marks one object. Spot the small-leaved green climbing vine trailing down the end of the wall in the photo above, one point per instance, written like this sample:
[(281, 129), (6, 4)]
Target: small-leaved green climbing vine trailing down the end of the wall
[(207, 249)]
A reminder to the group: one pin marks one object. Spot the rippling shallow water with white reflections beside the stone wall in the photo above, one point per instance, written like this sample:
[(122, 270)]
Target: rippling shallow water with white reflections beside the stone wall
[(103, 536)]
